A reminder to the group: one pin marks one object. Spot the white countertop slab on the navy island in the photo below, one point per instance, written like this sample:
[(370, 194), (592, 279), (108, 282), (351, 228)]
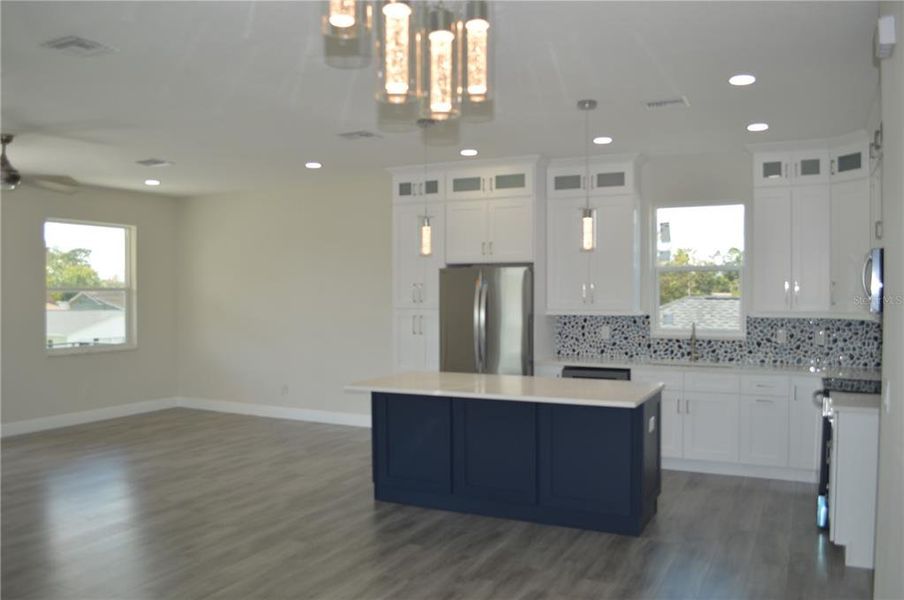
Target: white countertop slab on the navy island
[(588, 392)]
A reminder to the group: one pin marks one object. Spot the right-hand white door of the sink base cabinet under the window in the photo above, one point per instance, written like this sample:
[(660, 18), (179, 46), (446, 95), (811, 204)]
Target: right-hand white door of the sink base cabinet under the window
[(710, 426)]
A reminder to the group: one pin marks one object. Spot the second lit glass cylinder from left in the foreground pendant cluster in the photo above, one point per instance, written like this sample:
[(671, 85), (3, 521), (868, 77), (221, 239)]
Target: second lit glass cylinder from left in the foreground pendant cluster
[(396, 41)]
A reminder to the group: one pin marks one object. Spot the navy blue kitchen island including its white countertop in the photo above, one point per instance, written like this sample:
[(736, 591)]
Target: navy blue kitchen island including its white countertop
[(574, 453)]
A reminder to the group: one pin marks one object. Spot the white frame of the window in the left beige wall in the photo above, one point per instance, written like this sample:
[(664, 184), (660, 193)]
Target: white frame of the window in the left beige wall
[(130, 289)]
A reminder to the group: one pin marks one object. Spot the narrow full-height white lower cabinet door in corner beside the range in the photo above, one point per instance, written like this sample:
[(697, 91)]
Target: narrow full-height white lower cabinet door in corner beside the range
[(805, 424)]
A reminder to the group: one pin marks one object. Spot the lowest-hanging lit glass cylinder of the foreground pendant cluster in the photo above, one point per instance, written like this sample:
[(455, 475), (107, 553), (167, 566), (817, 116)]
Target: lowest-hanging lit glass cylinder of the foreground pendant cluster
[(441, 93)]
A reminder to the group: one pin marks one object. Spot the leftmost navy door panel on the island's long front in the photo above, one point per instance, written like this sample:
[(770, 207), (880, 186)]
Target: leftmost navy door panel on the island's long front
[(413, 442)]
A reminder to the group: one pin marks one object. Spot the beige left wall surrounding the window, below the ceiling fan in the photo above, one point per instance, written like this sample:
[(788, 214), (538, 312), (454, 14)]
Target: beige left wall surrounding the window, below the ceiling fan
[(35, 385)]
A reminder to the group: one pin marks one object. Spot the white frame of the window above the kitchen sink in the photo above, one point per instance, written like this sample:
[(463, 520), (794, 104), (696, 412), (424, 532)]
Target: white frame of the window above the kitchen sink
[(655, 269)]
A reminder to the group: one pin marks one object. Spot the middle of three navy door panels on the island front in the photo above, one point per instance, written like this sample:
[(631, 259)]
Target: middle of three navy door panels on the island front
[(495, 456)]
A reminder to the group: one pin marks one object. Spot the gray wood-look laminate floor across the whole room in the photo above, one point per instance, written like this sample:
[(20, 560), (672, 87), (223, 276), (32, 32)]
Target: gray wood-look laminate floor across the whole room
[(192, 504)]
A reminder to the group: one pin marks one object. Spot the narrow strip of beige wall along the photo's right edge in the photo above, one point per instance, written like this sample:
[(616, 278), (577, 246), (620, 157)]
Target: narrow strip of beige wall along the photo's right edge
[(889, 576)]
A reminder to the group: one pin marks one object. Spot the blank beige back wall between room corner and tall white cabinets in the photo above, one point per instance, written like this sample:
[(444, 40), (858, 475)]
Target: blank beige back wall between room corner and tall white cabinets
[(286, 294)]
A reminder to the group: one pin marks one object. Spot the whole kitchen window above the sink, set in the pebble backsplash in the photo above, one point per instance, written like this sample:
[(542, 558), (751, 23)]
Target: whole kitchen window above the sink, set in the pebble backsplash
[(699, 264)]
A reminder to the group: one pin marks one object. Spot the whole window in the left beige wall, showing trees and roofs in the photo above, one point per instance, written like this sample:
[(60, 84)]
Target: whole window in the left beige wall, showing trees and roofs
[(90, 286)]
